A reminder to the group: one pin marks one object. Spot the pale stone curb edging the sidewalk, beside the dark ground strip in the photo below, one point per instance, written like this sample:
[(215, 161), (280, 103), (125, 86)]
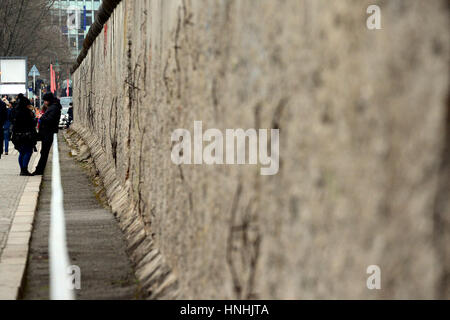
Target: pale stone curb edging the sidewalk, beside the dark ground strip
[(14, 258)]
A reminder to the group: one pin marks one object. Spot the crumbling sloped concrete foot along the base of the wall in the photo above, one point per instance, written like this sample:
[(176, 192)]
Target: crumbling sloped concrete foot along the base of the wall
[(156, 279)]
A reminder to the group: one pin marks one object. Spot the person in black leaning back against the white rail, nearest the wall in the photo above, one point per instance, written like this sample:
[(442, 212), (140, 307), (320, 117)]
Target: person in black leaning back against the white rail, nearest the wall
[(49, 125)]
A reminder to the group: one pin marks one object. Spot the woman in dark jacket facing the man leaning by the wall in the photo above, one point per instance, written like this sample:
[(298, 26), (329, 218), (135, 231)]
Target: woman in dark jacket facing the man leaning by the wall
[(24, 134)]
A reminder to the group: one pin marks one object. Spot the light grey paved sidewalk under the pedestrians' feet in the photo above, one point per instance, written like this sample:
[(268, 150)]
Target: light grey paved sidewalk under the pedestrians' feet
[(11, 189)]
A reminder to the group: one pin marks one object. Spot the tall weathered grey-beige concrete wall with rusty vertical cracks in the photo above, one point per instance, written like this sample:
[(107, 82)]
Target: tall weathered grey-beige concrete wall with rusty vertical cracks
[(362, 116)]
